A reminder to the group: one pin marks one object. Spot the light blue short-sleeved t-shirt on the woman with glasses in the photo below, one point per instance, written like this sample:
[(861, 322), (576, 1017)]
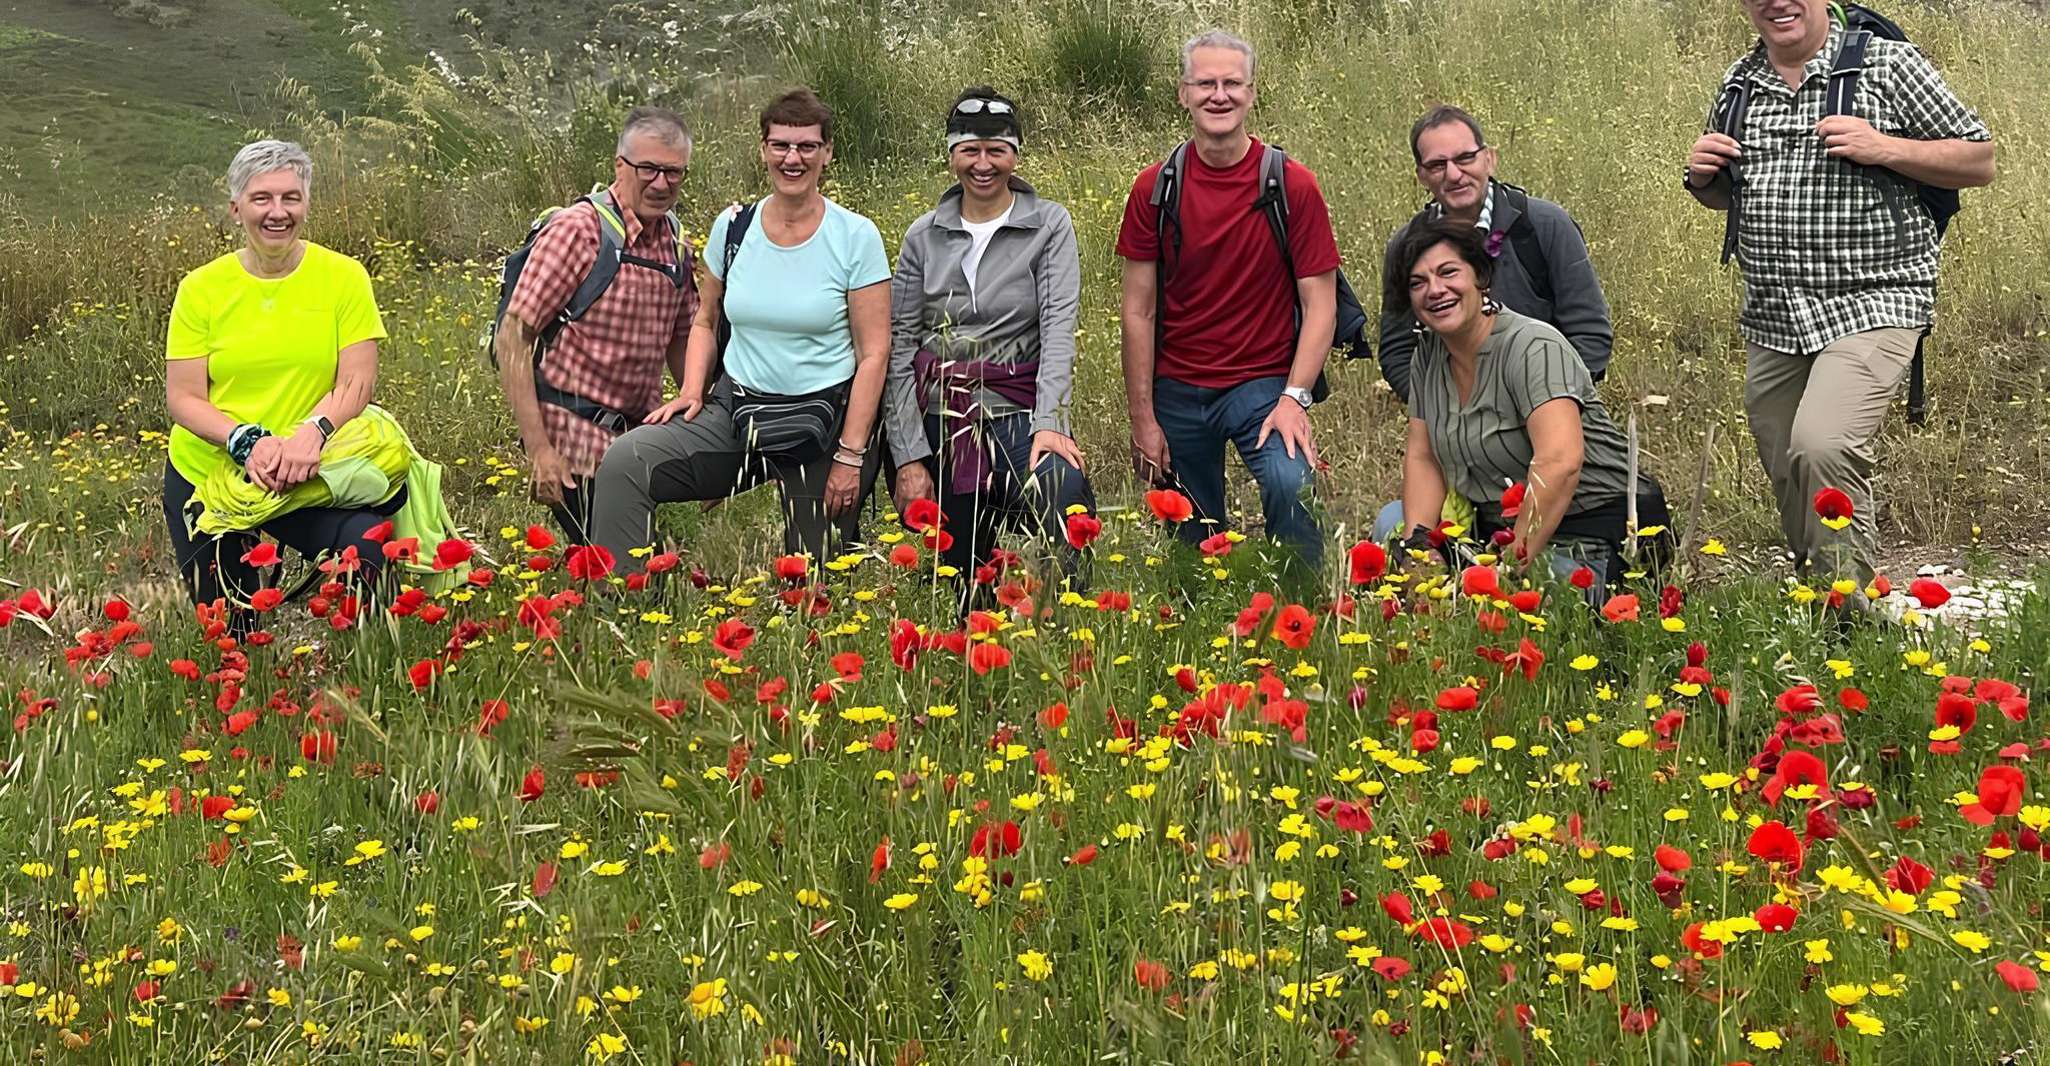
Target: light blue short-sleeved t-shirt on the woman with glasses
[(788, 306)]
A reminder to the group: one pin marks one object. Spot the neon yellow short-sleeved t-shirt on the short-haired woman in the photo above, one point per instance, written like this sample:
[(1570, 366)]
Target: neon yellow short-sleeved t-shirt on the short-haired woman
[(272, 345)]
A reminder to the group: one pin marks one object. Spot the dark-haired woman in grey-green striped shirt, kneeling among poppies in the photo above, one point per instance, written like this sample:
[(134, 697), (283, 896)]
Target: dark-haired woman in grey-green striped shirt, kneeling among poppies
[(1498, 401)]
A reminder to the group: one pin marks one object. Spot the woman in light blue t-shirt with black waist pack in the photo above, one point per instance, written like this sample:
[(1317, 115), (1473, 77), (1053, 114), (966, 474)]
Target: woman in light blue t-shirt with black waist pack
[(792, 397)]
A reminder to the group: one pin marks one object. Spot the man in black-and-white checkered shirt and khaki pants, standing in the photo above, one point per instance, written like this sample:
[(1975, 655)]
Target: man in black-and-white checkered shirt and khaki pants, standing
[(1840, 255)]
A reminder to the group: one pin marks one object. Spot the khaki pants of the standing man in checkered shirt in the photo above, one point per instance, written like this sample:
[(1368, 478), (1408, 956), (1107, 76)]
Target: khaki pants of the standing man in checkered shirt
[(1815, 419)]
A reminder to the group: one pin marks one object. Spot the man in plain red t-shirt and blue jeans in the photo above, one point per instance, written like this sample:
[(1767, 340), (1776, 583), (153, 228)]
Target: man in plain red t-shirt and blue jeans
[(1221, 358)]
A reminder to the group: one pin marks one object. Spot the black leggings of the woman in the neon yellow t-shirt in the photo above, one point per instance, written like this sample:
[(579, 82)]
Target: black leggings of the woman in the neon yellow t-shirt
[(214, 569)]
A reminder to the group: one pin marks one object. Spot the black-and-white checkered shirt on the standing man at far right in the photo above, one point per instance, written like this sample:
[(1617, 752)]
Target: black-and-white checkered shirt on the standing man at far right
[(1828, 247)]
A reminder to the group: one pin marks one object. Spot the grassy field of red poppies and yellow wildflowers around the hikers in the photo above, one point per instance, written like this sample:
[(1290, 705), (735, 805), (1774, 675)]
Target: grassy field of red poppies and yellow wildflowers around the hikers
[(798, 811)]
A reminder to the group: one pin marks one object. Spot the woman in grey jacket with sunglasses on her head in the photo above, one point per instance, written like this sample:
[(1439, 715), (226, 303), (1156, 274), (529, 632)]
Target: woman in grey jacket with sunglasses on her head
[(983, 317)]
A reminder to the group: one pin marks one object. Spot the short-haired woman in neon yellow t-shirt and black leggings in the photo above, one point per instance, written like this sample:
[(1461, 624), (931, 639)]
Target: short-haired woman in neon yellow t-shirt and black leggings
[(272, 350)]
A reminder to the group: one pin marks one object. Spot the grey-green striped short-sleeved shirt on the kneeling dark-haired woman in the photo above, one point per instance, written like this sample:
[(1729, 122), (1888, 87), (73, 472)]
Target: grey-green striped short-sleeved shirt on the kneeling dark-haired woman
[(1483, 444)]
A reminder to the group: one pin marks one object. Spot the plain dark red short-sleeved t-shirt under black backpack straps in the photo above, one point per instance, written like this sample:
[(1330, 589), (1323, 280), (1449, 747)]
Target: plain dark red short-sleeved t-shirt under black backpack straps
[(1231, 304)]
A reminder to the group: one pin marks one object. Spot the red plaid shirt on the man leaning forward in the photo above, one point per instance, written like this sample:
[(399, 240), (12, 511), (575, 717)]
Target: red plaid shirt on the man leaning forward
[(616, 352)]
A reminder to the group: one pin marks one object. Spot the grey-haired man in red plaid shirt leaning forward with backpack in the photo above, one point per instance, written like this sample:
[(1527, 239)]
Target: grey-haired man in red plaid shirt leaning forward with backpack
[(602, 374)]
